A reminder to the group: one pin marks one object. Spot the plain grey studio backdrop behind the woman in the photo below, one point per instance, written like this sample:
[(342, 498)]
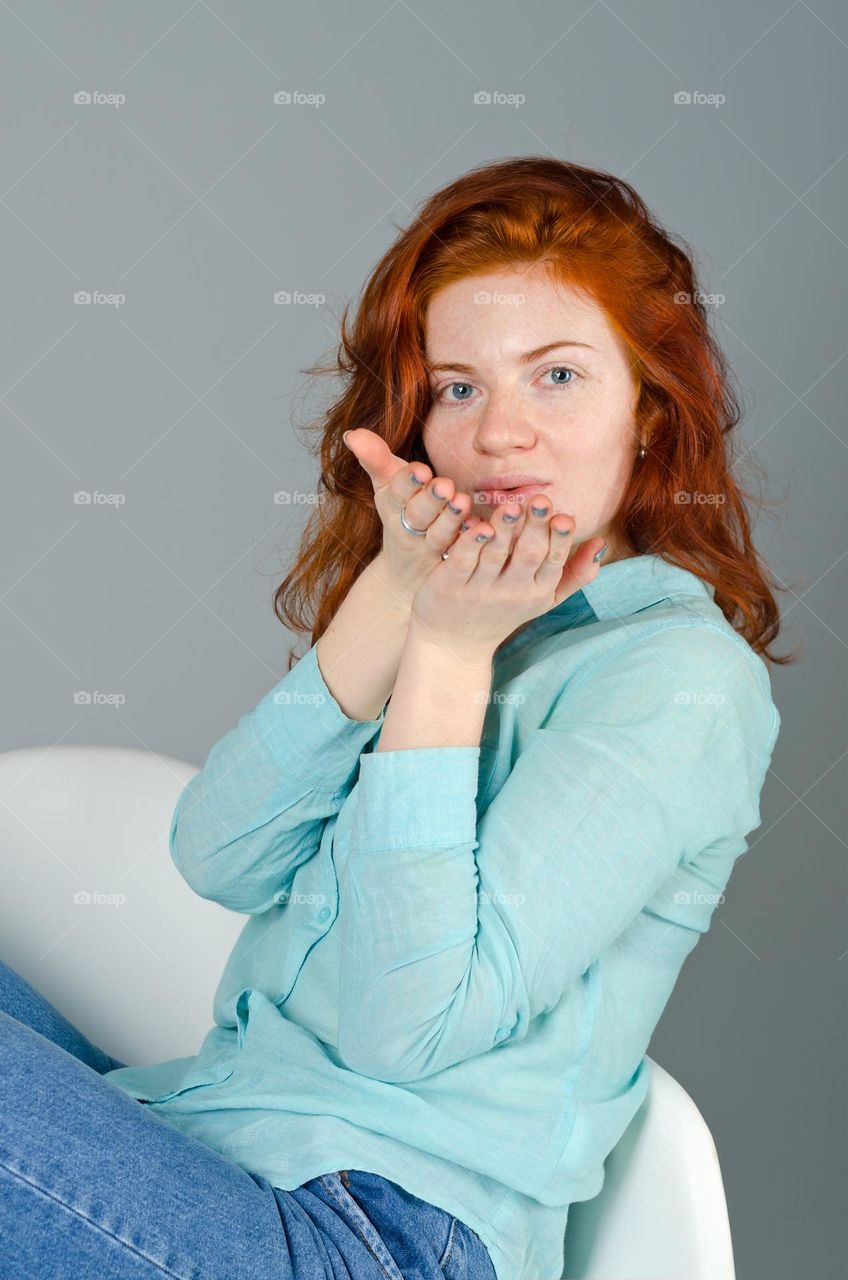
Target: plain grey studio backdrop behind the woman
[(199, 199)]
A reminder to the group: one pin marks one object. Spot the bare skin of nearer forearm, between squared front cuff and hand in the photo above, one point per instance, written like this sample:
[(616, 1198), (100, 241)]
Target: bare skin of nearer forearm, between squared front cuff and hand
[(440, 697)]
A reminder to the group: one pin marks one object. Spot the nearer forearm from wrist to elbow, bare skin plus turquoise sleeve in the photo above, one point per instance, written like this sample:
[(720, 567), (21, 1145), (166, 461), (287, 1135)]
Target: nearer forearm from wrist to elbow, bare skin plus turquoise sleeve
[(409, 883)]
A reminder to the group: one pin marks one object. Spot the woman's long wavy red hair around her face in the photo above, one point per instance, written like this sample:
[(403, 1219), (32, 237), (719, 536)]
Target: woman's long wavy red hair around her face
[(592, 232)]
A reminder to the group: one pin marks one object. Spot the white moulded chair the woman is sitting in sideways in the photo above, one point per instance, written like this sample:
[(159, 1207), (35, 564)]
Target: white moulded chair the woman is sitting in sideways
[(97, 917)]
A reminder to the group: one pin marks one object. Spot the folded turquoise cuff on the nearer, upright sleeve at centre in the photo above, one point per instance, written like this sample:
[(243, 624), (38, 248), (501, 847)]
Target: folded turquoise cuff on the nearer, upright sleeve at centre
[(420, 798)]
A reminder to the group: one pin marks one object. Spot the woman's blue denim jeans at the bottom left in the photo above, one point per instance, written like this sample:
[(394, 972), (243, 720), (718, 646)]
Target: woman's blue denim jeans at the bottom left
[(93, 1183)]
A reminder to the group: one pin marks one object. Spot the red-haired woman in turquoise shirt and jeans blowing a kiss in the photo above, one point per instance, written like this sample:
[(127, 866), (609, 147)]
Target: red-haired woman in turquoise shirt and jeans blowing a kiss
[(481, 825)]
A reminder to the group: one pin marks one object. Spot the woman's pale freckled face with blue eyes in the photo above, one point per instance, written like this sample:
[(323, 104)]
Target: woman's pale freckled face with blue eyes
[(504, 406)]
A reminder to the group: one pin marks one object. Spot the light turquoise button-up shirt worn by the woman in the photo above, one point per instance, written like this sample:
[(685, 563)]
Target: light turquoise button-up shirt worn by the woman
[(457, 956)]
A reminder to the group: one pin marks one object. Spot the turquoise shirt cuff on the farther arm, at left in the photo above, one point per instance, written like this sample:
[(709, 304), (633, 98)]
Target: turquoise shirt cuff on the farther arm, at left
[(303, 724)]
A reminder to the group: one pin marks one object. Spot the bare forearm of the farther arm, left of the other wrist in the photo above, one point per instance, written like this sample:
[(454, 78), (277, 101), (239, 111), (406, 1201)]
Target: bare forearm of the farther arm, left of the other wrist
[(361, 652)]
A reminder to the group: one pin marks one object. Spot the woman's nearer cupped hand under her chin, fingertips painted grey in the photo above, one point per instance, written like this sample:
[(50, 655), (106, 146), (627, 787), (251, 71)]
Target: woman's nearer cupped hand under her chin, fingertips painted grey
[(484, 592)]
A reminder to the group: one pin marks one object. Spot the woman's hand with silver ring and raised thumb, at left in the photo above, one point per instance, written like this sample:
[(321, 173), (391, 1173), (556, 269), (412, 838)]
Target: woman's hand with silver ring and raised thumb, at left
[(408, 559)]
